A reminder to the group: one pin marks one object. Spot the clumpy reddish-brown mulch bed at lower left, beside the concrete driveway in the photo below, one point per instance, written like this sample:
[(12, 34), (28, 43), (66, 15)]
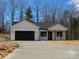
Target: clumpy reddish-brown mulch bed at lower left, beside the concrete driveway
[(6, 48)]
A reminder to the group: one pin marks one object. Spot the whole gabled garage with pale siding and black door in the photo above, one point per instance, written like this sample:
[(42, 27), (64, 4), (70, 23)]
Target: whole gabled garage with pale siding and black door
[(25, 31)]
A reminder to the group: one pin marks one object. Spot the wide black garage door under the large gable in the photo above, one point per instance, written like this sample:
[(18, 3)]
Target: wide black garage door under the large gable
[(24, 35)]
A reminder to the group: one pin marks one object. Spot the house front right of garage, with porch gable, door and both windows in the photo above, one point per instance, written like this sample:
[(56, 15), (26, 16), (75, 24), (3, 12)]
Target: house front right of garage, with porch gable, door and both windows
[(56, 32)]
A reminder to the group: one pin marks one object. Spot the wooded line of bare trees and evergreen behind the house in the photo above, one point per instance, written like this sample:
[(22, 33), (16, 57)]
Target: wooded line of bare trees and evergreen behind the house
[(38, 11)]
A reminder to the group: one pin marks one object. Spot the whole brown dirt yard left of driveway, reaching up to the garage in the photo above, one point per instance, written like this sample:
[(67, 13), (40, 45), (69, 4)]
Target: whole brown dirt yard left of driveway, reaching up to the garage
[(6, 46)]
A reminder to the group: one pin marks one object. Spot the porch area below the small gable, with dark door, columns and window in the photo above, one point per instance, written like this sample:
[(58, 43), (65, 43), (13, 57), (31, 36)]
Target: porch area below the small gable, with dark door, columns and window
[(57, 35)]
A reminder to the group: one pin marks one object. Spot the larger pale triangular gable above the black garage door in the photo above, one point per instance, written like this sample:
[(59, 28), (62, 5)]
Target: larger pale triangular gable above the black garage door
[(25, 24)]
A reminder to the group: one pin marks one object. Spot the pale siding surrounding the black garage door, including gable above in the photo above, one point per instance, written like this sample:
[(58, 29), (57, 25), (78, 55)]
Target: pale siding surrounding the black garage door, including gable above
[(25, 26)]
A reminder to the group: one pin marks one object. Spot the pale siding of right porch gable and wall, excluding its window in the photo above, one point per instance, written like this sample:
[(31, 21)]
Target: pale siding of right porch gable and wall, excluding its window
[(58, 27)]
